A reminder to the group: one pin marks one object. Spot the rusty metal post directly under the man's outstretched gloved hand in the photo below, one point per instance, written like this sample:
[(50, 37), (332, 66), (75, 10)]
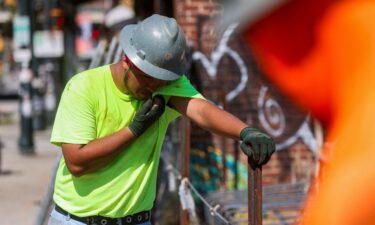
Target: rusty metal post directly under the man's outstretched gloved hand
[(254, 194)]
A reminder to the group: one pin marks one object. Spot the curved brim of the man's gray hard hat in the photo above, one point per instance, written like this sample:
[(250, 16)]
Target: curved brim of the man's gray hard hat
[(144, 65)]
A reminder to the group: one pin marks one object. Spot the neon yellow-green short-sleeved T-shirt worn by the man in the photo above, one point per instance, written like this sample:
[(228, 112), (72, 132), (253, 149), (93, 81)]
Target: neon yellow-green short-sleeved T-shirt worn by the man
[(92, 107)]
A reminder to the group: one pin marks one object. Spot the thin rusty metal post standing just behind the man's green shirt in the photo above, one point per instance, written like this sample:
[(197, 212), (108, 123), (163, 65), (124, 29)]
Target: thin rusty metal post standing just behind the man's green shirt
[(185, 162)]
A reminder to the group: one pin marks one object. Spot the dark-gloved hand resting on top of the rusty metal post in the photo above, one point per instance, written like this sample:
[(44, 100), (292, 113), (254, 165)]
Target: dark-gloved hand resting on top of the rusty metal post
[(257, 146)]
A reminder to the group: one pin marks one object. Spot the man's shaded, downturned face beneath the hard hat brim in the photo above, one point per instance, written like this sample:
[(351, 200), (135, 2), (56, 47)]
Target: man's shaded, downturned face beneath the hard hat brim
[(139, 84)]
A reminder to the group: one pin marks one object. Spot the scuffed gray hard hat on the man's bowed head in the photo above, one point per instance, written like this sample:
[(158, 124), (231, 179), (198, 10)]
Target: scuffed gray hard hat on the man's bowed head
[(156, 46)]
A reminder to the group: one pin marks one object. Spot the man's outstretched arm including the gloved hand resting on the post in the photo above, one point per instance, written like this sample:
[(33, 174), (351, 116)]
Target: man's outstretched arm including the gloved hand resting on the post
[(256, 145)]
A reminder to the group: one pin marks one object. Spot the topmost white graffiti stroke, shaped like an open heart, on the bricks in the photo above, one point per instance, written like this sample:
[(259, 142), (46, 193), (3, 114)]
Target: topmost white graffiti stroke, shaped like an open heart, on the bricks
[(211, 64)]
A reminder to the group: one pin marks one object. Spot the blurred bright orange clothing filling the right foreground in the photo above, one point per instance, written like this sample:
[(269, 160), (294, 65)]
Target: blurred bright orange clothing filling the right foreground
[(322, 54)]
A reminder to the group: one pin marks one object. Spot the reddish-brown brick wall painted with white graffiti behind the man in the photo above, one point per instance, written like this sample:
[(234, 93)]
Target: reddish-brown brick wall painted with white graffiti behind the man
[(258, 103)]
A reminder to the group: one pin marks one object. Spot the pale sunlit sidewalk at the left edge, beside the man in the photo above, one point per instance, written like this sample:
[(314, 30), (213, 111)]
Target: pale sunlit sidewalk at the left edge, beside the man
[(24, 179)]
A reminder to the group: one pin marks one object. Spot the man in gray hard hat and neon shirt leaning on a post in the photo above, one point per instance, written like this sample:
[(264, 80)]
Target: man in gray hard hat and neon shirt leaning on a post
[(111, 122)]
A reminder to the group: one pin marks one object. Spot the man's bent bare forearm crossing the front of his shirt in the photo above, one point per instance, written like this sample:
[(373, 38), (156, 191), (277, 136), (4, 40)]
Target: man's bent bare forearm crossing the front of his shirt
[(82, 159)]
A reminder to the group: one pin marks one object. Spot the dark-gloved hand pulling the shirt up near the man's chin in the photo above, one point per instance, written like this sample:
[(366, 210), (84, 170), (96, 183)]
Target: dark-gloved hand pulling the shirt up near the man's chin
[(151, 110)]
